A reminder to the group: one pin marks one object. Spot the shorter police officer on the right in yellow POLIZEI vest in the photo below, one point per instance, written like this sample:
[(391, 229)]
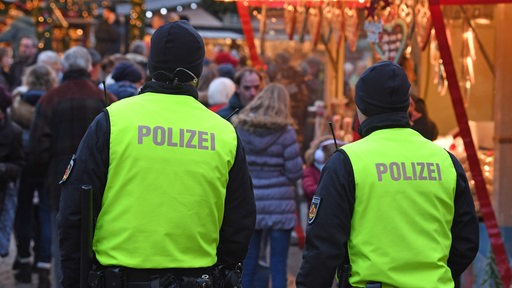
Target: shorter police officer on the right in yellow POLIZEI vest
[(393, 205)]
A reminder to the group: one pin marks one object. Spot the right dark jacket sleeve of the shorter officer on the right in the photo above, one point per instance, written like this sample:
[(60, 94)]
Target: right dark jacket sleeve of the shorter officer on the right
[(465, 235)]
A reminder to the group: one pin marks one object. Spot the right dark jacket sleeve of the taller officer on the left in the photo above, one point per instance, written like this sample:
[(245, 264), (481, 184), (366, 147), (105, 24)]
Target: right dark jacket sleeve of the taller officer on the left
[(239, 213)]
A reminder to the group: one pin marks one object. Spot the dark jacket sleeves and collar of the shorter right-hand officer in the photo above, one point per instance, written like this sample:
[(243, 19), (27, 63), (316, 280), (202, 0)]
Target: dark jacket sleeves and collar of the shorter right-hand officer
[(327, 236)]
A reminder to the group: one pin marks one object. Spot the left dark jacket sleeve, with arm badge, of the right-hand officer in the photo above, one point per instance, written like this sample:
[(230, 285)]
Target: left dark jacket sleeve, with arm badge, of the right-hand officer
[(328, 232)]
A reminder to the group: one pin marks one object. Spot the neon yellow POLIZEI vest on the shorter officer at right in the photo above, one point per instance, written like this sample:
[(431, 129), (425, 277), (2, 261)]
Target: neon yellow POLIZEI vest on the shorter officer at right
[(400, 232)]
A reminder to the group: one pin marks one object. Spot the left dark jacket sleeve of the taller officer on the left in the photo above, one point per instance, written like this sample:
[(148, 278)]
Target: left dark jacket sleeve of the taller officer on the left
[(90, 168)]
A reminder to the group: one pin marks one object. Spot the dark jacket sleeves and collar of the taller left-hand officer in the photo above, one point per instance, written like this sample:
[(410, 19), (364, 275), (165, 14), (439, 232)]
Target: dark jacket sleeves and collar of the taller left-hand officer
[(91, 167)]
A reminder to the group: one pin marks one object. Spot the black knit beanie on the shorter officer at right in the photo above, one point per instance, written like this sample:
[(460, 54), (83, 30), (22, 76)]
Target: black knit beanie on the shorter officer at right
[(382, 88)]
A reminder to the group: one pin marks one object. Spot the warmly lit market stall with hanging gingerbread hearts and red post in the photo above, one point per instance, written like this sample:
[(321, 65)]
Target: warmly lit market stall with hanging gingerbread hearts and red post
[(453, 45)]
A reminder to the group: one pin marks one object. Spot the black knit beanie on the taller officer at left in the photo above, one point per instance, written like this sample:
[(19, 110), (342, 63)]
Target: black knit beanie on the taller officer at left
[(176, 45)]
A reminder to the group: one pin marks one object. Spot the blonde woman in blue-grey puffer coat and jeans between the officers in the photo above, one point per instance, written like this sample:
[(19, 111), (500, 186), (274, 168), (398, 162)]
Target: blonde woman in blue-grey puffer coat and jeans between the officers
[(275, 164)]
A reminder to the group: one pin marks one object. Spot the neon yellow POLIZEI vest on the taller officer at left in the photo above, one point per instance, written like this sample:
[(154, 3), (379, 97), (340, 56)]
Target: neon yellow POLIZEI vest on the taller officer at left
[(163, 203)]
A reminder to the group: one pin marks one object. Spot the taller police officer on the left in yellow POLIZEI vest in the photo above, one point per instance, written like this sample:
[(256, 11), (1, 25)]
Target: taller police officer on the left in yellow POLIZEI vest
[(173, 195)]
